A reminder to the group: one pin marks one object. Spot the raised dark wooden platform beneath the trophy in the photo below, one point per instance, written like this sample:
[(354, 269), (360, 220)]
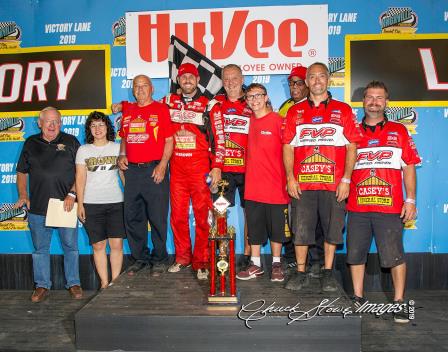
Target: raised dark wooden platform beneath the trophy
[(169, 313)]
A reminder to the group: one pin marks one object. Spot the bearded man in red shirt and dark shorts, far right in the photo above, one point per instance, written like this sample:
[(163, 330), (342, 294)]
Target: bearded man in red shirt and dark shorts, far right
[(376, 201)]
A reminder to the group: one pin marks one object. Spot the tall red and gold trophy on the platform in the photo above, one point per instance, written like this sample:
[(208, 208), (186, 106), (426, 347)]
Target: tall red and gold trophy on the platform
[(222, 258)]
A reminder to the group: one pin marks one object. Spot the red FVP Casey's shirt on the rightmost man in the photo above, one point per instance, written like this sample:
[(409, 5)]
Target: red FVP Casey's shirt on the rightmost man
[(377, 178)]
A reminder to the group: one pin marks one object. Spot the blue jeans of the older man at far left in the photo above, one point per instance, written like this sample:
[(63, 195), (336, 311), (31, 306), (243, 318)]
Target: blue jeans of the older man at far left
[(41, 236)]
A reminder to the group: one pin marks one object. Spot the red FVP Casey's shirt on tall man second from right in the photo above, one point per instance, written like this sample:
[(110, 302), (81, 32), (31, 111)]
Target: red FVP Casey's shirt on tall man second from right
[(319, 135)]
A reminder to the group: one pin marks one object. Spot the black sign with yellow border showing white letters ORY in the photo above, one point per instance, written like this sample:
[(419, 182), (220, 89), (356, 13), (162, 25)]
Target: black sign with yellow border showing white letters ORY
[(74, 79)]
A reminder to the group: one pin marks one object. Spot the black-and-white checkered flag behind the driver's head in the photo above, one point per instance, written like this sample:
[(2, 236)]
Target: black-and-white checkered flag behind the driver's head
[(180, 52)]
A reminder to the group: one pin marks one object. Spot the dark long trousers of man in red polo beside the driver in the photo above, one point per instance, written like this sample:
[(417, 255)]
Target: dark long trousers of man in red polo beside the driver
[(146, 201)]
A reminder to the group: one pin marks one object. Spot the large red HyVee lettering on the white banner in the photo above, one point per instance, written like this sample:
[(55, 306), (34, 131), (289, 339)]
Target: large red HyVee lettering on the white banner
[(256, 42)]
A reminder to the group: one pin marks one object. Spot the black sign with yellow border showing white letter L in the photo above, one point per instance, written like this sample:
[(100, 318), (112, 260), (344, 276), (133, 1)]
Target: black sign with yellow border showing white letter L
[(414, 67)]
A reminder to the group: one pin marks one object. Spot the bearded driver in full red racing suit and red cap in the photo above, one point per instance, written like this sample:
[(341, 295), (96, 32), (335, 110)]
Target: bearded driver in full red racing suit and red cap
[(198, 152)]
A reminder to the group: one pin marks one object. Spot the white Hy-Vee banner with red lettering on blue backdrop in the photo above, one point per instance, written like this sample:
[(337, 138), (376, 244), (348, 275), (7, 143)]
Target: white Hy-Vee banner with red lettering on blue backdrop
[(262, 40)]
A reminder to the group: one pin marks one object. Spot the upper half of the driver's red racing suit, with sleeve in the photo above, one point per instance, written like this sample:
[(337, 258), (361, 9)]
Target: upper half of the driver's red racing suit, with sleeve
[(187, 119)]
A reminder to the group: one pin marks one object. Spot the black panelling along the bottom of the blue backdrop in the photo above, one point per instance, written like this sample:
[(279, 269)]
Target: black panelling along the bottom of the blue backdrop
[(425, 271)]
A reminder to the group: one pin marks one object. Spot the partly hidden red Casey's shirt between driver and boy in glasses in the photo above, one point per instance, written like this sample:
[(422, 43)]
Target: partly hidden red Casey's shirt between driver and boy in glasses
[(236, 115)]
